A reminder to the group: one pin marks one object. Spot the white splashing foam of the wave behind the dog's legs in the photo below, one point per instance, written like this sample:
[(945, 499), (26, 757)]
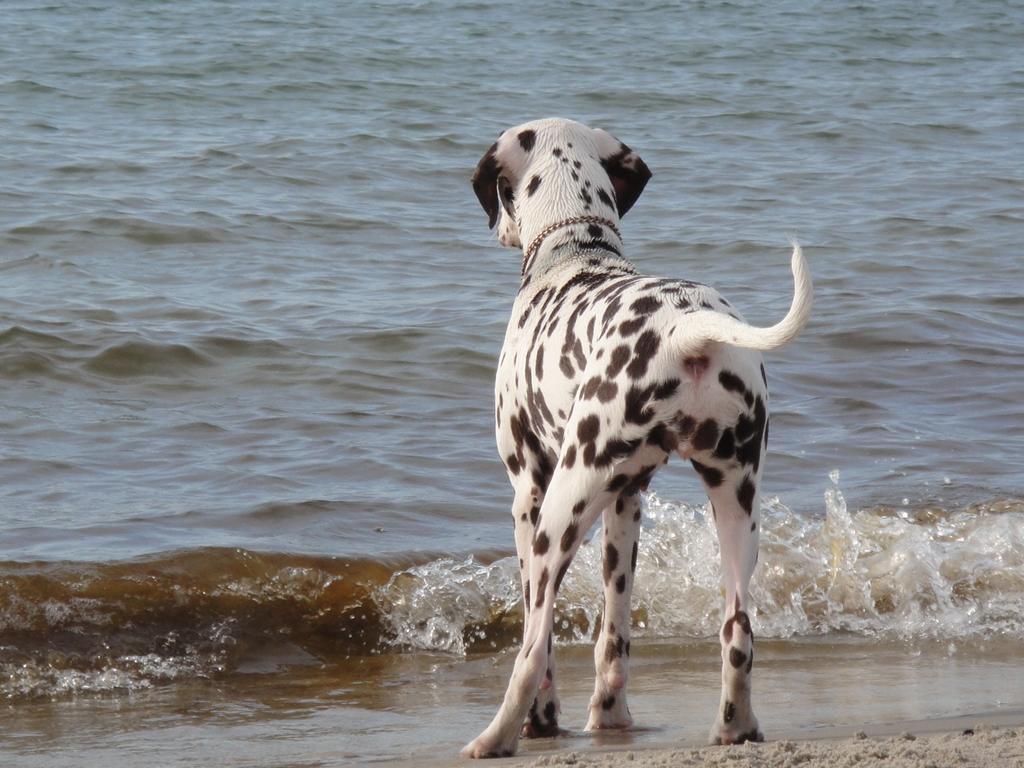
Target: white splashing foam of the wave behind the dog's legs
[(925, 575)]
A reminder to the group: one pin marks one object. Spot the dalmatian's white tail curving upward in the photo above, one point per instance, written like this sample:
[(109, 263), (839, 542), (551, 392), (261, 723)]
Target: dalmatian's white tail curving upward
[(706, 325)]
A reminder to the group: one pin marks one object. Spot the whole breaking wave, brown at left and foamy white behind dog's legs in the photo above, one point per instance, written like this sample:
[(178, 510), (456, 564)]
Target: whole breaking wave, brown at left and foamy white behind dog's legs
[(924, 574)]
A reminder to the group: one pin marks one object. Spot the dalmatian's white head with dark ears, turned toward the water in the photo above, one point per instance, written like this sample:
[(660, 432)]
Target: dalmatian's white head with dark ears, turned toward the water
[(578, 168)]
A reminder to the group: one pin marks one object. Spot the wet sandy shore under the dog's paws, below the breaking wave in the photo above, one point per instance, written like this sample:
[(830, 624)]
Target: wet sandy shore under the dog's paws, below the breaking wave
[(419, 709)]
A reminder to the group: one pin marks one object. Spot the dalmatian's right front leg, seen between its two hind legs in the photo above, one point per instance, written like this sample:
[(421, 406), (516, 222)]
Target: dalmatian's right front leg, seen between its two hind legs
[(621, 539)]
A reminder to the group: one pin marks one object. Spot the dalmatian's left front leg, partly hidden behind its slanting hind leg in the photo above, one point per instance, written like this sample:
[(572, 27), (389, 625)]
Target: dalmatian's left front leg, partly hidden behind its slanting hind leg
[(543, 720)]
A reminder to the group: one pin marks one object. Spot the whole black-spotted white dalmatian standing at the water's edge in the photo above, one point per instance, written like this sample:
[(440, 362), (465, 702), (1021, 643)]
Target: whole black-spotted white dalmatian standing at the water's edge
[(605, 374)]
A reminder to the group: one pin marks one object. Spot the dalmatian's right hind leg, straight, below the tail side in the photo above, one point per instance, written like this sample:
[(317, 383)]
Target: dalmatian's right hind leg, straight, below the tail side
[(735, 503)]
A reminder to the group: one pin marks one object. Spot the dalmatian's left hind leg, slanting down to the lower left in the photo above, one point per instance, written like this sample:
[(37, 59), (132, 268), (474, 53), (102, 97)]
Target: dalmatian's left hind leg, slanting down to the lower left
[(571, 504)]
